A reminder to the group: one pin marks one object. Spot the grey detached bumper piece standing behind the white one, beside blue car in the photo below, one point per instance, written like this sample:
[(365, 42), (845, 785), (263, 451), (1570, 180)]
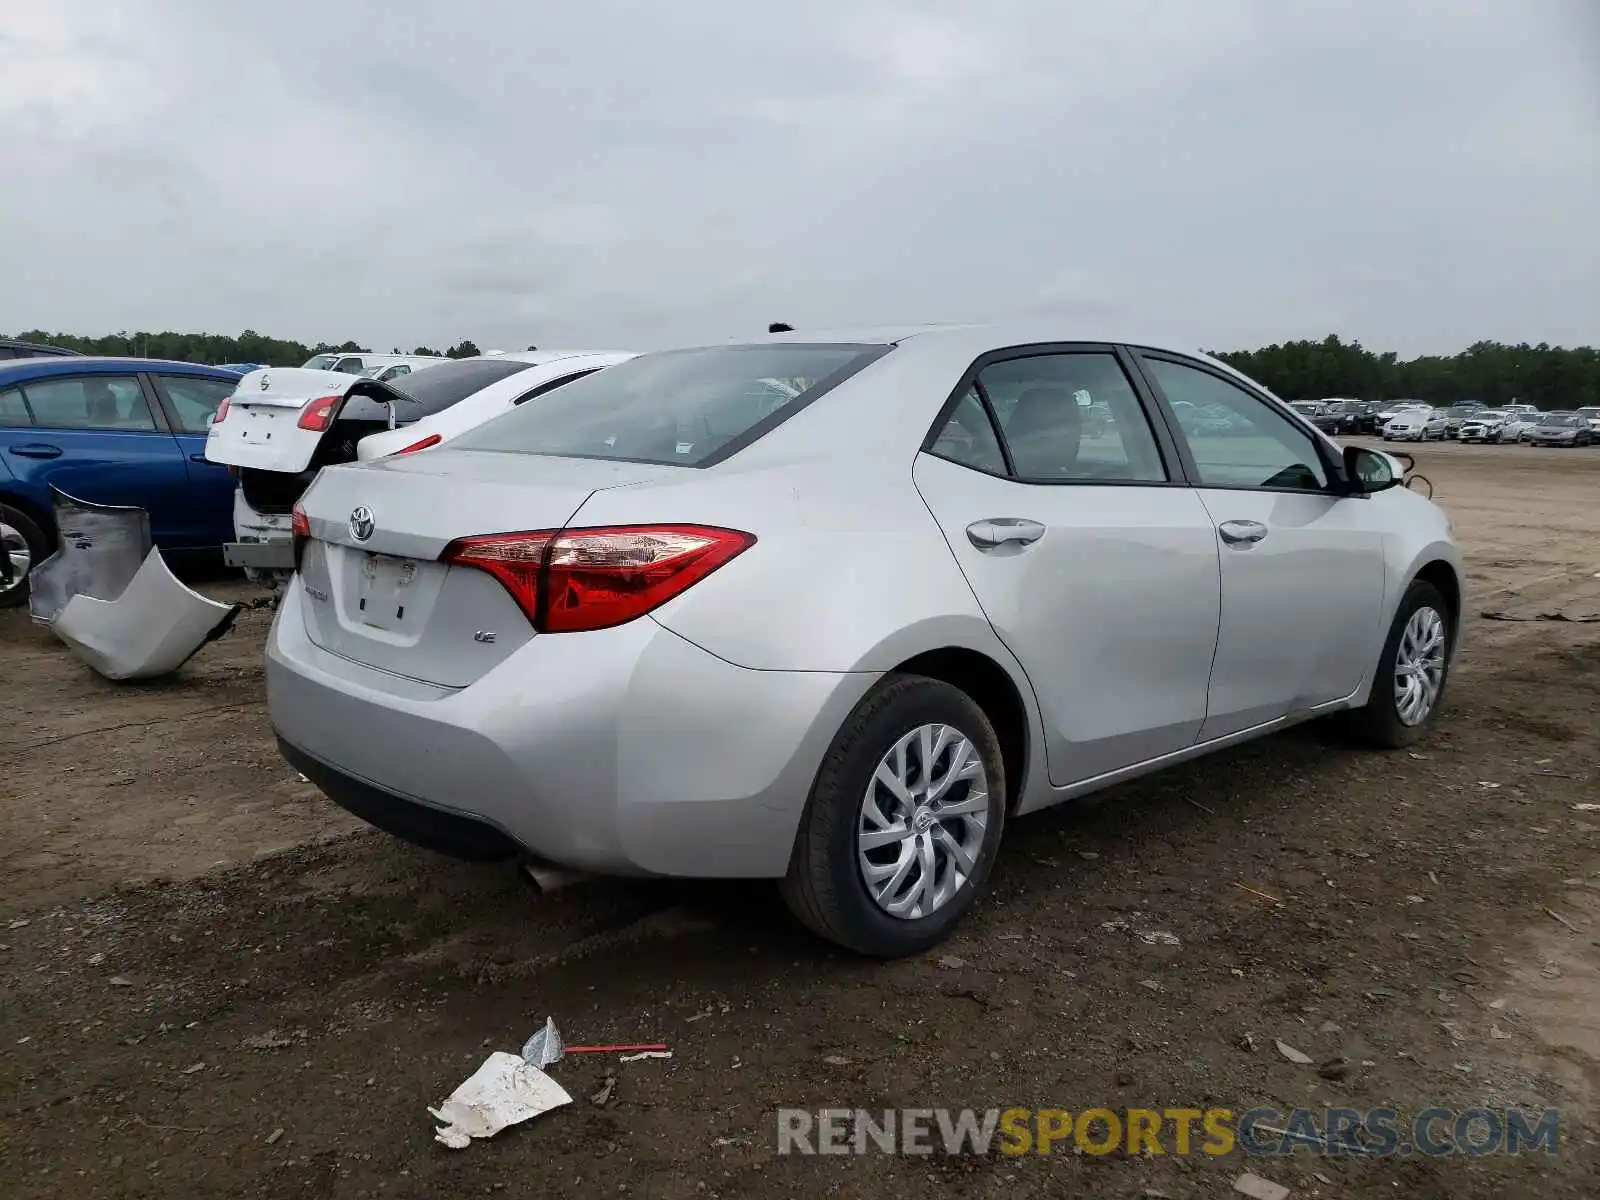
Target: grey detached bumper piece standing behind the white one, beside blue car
[(102, 551)]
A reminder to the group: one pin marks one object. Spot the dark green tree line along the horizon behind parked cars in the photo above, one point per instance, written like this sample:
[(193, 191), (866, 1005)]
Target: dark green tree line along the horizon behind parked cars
[(1546, 377)]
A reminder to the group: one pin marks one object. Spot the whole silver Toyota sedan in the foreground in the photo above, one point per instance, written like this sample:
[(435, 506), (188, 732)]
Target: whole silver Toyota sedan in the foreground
[(833, 610)]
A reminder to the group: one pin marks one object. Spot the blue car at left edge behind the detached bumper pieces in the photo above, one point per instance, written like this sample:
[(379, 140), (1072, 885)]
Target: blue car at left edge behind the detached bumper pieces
[(110, 431)]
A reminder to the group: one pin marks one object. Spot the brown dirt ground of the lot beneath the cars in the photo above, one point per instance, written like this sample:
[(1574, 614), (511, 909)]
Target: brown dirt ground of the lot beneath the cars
[(218, 985)]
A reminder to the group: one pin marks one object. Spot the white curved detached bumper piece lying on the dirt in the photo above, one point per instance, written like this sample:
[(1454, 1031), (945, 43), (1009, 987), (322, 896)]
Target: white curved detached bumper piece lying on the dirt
[(150, 631)]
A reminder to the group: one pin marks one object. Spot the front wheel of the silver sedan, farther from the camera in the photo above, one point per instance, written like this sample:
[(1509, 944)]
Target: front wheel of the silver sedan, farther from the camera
[(1412, 671)]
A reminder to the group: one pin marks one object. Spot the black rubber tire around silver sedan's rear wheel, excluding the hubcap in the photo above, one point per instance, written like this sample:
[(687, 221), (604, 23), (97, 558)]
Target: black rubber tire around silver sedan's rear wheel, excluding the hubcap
[(826, 886)]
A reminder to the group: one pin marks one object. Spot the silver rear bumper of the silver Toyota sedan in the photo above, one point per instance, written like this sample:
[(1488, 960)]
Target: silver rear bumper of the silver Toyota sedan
[(625, 751)]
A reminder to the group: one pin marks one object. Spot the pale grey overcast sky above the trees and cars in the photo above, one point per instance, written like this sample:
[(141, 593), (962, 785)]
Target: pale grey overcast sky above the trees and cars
[(1415, 174)]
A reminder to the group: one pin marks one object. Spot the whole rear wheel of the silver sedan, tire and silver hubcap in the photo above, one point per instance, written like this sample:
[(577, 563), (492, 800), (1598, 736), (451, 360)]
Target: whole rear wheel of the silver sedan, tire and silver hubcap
[(903, 823)]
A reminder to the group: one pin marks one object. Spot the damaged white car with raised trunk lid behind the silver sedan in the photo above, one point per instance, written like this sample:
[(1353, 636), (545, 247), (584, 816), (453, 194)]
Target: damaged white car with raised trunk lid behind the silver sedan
[(286, 425)]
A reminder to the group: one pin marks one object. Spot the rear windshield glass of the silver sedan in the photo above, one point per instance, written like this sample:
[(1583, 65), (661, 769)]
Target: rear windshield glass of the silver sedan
[(687, 409)]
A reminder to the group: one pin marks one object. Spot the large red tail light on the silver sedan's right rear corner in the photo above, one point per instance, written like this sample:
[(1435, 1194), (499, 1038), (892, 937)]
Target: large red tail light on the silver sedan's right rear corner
[(577, 580)]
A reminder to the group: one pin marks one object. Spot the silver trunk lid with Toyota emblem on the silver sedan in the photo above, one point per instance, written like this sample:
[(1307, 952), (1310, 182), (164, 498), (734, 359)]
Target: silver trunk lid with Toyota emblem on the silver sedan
[(386, 601)]
